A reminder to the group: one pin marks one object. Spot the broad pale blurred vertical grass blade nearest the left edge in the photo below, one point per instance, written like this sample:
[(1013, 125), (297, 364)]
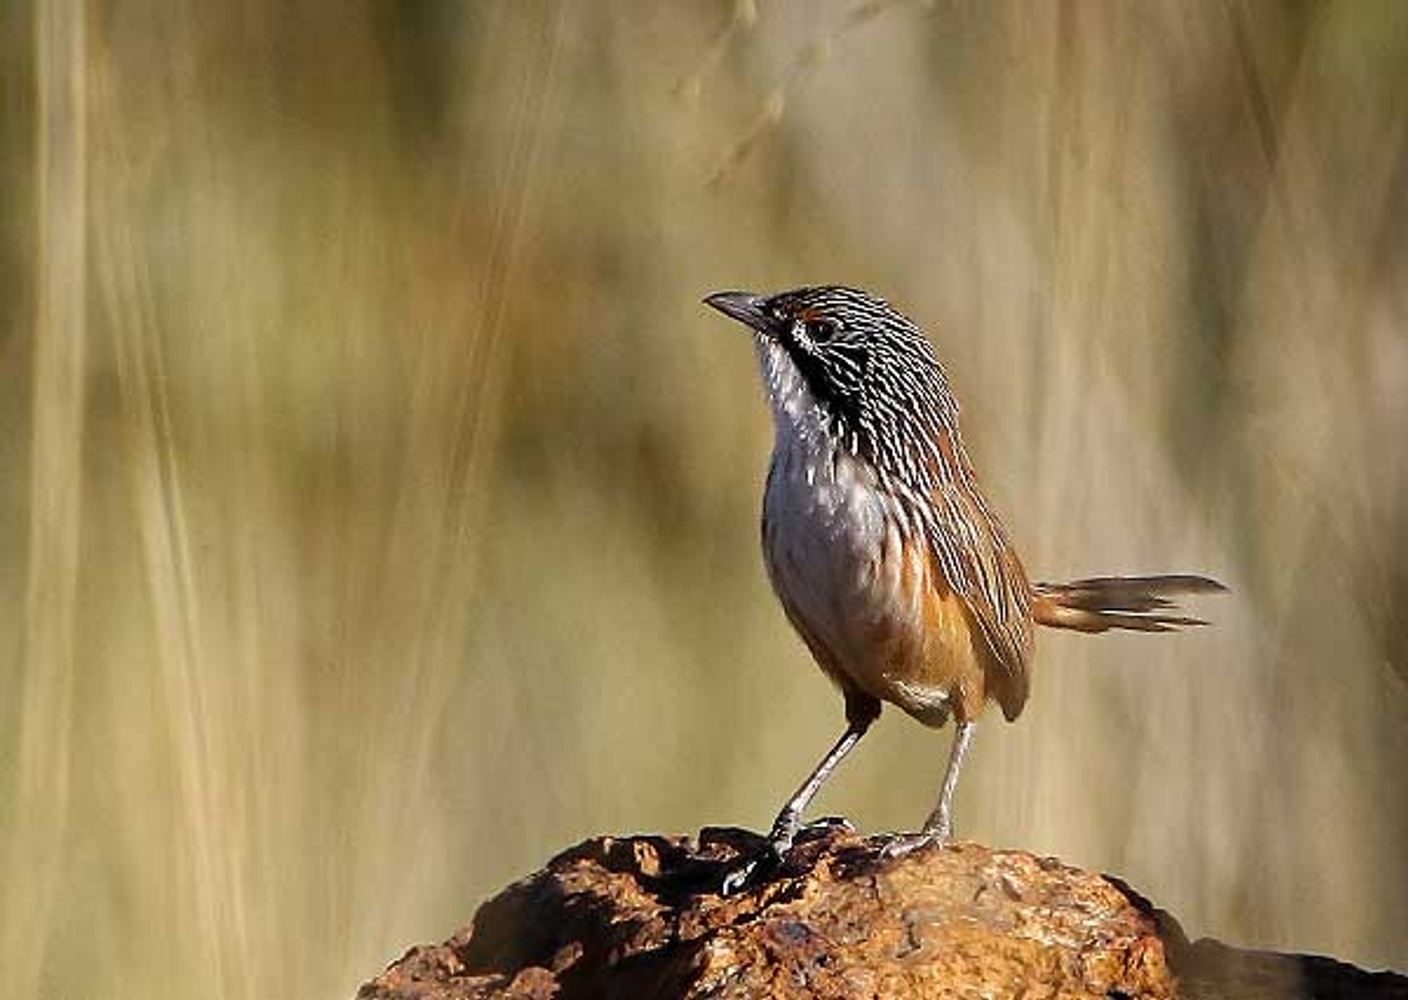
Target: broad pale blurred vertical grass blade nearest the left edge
[(39, 813)]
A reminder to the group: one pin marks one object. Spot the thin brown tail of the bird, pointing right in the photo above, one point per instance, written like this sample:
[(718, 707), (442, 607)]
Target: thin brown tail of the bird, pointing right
[(1138, 604)]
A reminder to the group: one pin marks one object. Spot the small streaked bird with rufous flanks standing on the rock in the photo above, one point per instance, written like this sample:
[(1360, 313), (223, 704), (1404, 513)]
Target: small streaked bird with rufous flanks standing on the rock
[(886, 557)]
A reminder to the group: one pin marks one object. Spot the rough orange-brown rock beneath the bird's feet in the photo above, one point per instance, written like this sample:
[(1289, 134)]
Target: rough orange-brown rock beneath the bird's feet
[(641, 918)]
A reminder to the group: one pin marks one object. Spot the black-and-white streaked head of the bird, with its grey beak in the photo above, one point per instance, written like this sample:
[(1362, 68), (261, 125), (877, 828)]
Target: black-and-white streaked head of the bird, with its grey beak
[(838, 356)]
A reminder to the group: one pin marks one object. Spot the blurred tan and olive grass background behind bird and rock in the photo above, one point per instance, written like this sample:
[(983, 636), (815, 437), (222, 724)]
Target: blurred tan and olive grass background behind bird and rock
[(379, 506)]
